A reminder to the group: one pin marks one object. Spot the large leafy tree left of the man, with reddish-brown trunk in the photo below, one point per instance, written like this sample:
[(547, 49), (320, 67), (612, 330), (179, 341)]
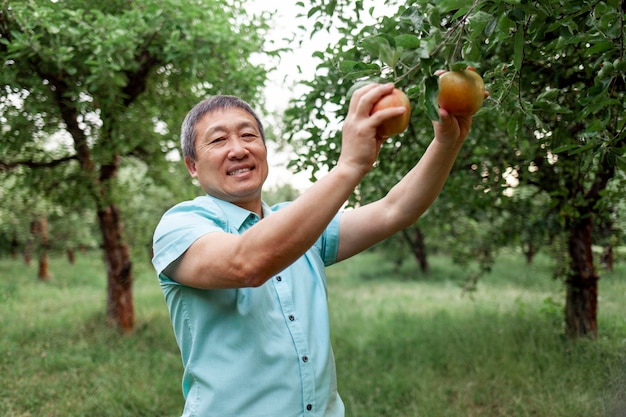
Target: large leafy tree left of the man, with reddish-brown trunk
[(87, 86)]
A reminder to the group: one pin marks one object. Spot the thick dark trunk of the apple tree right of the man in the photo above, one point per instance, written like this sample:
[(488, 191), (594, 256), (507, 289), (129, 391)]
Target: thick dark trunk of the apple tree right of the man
[(581, 306)]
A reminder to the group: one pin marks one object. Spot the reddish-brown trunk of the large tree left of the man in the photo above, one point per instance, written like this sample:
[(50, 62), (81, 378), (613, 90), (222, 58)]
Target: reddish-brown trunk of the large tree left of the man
[(120, 310)]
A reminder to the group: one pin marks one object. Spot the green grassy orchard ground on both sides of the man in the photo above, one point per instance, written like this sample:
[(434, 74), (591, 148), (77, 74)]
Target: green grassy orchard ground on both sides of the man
[(405, 345)]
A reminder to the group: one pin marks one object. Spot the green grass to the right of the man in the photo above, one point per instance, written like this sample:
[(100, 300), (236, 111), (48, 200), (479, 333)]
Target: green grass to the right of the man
[(414, 346)]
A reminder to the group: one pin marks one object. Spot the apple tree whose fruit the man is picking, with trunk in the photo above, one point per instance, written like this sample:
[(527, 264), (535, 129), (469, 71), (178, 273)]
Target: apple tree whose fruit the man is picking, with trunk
[(552, 131)]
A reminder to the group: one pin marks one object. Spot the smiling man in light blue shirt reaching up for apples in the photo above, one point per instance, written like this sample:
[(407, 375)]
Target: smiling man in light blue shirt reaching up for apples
[(245, 283)]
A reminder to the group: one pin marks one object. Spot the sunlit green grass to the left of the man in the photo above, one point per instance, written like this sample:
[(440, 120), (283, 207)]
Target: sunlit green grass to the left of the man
[(60, 358)]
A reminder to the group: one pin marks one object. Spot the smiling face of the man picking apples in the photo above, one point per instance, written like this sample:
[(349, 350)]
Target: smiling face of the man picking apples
[(231, 157)]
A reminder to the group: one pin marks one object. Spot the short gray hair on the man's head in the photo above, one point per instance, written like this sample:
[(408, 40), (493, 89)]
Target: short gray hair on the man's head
[(188, 130)]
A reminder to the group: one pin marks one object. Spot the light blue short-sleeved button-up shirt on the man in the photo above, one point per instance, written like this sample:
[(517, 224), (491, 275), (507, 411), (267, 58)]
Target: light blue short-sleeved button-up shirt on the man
[(250, 352)]
